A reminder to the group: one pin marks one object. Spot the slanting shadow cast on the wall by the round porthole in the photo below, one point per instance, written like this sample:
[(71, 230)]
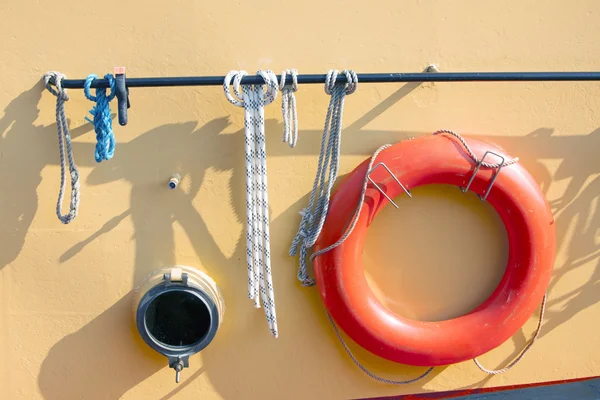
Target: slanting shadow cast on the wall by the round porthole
[(95, 363)]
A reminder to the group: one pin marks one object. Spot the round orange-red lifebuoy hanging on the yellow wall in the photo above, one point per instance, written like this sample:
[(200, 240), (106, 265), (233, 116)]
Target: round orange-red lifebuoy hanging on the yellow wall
[(436, 159)]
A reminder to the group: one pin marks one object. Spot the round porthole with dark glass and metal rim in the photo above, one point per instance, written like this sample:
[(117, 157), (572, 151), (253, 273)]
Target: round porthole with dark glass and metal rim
[(178, 311)]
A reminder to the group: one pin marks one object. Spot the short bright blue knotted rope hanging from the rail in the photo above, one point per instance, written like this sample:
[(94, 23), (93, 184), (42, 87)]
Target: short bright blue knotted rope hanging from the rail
[(105, 145)]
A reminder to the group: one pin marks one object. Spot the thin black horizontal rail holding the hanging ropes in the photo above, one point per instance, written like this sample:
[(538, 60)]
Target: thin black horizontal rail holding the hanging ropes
[(362, 78)]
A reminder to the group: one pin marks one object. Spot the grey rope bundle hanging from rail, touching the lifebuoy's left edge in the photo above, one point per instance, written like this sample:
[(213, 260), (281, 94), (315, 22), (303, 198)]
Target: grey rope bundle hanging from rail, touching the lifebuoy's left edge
[(313, 216)]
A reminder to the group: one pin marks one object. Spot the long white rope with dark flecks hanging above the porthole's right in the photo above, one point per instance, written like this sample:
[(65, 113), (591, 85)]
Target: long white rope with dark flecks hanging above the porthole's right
[(258, 257)]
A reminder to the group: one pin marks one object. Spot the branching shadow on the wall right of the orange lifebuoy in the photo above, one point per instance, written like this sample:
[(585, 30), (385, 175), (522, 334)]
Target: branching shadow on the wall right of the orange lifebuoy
[(577, 211)]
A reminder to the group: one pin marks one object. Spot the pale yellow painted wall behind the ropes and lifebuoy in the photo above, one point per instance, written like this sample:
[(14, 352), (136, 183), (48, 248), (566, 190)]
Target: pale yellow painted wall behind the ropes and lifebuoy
[(66, 328)]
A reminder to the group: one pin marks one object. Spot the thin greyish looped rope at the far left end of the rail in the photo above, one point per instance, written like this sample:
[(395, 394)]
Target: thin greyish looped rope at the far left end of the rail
[(53, 78)]
